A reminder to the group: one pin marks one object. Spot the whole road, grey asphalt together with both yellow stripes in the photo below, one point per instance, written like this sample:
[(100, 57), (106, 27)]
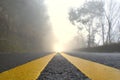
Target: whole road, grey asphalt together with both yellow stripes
[(61, 66)]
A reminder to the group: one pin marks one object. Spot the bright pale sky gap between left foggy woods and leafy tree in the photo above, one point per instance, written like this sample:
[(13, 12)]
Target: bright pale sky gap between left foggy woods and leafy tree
[(58, 13)]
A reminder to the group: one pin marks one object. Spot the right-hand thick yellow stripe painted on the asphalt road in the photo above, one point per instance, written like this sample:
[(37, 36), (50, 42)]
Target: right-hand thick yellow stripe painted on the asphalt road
[(94, 71)]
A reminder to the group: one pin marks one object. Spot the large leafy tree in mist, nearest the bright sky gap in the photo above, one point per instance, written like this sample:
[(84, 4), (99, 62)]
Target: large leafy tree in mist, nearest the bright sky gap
[(85, 16)]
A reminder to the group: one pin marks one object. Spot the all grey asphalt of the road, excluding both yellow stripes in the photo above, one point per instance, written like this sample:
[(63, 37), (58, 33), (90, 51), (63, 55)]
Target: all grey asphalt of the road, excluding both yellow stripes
[(59, 68)]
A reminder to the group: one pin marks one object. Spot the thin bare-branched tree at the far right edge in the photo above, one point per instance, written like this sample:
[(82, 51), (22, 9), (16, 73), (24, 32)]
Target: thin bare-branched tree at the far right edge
[(112, 17)]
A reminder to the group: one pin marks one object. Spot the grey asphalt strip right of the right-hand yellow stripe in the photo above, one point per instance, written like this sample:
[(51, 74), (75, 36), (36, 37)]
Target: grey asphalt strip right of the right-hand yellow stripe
[(109, 59)]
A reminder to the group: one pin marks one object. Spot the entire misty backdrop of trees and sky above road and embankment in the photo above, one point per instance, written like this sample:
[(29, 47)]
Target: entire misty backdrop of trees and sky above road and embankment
[(45, 25)]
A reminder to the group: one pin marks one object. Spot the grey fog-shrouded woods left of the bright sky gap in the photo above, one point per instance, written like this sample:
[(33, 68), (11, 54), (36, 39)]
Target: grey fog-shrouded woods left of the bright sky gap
[(26, 26)]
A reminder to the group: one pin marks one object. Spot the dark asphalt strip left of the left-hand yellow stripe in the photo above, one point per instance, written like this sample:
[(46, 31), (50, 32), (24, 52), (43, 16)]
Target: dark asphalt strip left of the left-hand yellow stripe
[(11, 60)]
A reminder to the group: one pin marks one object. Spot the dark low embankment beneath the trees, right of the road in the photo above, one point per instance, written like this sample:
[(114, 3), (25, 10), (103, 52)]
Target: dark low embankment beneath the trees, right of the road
[(114, 47)]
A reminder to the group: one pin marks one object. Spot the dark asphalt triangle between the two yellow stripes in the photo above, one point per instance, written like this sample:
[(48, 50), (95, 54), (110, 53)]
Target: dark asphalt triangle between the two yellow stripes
[(60, 69)]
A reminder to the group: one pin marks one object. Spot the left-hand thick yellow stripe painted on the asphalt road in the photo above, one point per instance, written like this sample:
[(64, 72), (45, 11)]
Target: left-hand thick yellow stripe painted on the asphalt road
[(28, 71)]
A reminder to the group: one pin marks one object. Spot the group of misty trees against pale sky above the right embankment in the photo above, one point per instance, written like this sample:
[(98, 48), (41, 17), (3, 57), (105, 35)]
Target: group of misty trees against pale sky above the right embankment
[(97, 21)]
